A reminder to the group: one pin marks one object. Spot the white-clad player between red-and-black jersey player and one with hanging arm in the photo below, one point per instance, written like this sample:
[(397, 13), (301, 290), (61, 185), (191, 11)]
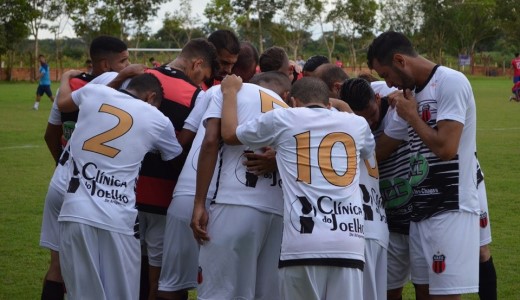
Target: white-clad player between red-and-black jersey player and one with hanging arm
[(180, 250)]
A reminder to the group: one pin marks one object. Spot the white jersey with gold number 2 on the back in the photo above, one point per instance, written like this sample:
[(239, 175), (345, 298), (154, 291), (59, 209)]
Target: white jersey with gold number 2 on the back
[(113, 133)]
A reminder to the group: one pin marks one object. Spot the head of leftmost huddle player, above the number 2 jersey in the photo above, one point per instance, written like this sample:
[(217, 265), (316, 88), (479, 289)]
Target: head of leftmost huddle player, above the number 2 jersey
[(108, 54)]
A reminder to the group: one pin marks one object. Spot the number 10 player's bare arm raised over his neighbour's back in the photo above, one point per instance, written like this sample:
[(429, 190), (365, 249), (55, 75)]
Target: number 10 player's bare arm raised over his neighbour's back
[(230, 87)]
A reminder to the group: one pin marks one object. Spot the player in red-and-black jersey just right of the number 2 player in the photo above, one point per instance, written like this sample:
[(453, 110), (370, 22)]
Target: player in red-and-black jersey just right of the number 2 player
[(180, 78)]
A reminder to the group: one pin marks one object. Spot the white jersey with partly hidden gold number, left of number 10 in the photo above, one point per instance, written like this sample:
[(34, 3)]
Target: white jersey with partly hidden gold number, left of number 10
[(261, 192)]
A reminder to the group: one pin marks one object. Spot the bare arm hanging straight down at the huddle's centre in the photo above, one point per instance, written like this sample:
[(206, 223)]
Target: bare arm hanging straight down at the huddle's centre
[(206, 167)]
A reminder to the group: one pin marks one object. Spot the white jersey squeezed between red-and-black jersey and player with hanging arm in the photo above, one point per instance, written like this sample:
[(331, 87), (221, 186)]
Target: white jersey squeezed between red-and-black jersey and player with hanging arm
[(186, 182)]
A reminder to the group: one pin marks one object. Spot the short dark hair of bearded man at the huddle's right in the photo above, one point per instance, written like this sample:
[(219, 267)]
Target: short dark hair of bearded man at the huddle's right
[(386, 45)]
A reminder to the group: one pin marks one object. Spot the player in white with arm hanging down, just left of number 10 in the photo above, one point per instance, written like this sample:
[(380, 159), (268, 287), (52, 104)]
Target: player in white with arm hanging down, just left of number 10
[(239, 261)]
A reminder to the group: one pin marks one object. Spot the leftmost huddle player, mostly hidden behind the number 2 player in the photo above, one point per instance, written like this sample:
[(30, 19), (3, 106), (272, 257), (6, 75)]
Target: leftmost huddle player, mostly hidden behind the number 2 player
[(108, 53)]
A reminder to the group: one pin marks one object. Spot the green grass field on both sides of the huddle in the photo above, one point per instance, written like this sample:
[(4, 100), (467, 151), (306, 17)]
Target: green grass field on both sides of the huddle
[(26, 168)]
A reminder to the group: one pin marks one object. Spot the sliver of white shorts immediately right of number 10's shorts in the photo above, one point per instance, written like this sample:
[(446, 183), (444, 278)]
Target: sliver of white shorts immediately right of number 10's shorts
[(374, 273)]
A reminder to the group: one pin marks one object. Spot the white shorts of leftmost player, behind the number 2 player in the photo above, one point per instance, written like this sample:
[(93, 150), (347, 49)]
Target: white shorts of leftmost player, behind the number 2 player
[(50, 232)]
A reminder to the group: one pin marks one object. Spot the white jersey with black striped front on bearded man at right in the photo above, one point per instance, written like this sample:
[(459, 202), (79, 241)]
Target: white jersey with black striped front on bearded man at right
[(438, 185)]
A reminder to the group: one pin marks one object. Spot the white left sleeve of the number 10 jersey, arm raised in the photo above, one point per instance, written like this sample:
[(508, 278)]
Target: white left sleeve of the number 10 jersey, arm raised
[(259, 132)]
